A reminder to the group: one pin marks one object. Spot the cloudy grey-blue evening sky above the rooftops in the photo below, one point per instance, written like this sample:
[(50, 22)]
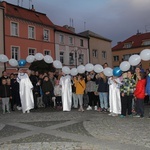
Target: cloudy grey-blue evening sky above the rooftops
[(114, 19)]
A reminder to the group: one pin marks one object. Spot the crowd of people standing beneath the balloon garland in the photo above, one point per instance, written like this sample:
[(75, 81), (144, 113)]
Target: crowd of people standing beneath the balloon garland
[(116, 95)]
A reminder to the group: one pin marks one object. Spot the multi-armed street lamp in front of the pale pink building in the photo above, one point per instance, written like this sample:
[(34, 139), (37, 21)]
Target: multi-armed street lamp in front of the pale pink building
[(78, 57)]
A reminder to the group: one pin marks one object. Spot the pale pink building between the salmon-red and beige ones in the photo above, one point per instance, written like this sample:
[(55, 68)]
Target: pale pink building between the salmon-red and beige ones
[(70, 48)]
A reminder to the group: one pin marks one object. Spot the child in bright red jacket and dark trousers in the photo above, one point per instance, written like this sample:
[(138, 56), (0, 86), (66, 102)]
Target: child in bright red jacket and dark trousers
[(139, 94)]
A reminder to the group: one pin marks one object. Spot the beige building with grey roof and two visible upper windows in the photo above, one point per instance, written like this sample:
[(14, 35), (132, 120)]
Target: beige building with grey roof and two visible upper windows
[(99, 48)]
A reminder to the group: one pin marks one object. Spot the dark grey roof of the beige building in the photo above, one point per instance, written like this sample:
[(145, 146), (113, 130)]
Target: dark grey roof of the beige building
[(92, 34)]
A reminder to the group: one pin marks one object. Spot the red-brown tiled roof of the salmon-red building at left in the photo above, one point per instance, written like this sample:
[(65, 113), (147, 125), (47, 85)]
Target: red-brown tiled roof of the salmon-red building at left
[(26, 14)]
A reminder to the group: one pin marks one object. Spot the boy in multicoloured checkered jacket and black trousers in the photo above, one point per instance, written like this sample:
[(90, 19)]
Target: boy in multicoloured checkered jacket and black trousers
[(127, 90)]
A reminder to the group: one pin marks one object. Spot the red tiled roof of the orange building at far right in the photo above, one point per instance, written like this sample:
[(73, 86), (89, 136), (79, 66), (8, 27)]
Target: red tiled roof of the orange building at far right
[(135, 40)]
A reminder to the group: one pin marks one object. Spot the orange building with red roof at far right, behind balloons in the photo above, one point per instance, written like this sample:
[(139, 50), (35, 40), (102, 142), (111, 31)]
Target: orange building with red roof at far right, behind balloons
[(133, 45)]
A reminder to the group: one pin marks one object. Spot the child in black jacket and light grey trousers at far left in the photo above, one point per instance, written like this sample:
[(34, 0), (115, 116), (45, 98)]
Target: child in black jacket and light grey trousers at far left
[(5, 95)]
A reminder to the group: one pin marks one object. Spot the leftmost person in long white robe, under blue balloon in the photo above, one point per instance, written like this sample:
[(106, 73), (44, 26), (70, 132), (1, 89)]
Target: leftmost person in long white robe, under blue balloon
[(25, 91)]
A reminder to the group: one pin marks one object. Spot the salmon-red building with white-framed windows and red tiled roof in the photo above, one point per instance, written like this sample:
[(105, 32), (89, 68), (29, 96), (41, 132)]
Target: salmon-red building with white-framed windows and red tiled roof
[(27, 32)]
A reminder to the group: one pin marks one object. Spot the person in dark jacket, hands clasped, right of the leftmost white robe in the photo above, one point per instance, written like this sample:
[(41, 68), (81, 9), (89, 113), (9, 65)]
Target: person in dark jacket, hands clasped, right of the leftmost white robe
[(47, 89)]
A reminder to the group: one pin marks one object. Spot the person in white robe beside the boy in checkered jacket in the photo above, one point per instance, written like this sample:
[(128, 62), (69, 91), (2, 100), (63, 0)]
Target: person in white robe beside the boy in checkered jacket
[(114, 96)]
